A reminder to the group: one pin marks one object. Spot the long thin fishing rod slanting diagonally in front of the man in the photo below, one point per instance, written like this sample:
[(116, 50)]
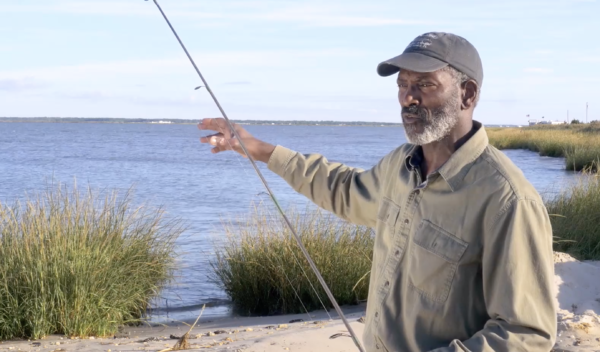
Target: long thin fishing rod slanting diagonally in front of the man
[(264, 181)]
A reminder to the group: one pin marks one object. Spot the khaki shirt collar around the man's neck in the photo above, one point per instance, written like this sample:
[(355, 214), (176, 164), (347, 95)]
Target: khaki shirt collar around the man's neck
[(455, 169)]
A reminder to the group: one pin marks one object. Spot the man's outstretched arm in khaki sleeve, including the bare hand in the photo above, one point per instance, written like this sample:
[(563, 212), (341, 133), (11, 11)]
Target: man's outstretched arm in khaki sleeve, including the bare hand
[(350, 193)]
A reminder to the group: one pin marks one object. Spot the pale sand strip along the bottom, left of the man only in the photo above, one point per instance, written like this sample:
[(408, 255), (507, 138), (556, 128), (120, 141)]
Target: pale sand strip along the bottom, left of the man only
[(227, 334)]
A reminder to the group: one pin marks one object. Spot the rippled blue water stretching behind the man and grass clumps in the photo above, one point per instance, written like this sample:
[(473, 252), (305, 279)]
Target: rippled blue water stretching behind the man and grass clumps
[(168, 166)]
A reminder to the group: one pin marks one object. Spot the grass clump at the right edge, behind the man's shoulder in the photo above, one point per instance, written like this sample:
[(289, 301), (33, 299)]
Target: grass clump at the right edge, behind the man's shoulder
[(575, 217)]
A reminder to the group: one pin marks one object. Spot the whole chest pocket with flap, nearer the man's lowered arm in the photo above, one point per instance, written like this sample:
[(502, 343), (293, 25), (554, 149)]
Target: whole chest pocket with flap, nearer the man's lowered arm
[(434, 259)]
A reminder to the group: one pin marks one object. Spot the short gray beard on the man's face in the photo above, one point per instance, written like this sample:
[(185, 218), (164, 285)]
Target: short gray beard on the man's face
[(437, 126)]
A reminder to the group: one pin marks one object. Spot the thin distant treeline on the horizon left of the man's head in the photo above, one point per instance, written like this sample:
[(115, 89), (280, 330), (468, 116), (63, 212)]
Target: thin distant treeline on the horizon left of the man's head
[(186, 121)]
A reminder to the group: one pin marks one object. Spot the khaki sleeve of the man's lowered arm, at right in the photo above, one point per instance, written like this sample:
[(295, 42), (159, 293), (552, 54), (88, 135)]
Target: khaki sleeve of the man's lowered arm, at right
[(518, 275)]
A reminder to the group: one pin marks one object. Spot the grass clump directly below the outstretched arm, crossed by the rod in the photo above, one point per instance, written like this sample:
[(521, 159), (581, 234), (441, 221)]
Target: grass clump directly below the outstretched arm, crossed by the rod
[(262, 269)]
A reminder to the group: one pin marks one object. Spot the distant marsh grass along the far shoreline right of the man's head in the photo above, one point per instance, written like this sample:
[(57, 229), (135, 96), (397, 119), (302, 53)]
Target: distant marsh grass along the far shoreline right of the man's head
[(578, 144)]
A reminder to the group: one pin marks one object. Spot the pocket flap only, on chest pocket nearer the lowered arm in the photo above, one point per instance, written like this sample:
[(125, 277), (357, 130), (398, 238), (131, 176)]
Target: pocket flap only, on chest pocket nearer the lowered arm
[(439, 242)]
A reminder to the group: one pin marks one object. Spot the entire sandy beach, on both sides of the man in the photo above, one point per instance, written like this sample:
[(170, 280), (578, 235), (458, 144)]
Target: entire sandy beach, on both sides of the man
[(577, 298)]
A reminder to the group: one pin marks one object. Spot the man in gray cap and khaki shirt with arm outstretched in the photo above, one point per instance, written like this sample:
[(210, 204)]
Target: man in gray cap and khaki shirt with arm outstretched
[(463, 250)]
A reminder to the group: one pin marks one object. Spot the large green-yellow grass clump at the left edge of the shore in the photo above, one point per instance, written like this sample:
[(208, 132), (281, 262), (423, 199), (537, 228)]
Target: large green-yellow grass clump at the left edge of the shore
[(79, 263)]
